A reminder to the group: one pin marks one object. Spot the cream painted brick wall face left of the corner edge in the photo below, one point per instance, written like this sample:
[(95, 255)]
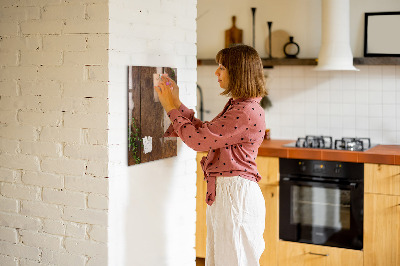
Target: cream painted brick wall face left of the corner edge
[(53, 132)]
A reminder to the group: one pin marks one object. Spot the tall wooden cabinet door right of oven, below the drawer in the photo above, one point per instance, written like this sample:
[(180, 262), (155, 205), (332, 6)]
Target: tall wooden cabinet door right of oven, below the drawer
[(381, 230)]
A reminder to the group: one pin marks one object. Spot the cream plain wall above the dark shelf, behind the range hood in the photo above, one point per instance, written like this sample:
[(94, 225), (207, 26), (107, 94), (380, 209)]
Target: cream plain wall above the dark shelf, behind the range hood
[(301, 19)]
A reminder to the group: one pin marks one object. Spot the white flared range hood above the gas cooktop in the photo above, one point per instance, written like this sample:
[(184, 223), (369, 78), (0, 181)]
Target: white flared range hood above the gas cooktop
[(335, 52)]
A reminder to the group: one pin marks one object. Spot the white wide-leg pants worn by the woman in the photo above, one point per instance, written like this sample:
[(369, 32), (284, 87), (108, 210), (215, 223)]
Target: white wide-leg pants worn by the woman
[(235, 223)]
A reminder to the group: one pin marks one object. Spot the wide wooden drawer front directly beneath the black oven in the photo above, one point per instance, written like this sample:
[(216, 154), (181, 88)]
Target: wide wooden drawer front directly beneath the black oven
[(299, 254)]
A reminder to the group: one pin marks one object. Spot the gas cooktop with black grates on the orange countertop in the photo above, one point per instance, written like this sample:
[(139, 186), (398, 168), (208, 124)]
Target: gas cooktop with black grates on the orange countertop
[(326, 142)]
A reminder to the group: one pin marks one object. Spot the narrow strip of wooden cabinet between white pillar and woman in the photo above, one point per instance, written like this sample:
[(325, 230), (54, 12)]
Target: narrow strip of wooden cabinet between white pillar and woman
[(201, 206)]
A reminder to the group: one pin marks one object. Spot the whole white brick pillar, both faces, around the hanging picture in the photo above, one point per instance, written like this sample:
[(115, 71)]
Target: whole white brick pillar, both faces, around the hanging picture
[(60, 138)]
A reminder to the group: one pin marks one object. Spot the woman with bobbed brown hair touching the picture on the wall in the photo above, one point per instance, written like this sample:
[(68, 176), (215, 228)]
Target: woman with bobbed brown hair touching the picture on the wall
[(236, 211)]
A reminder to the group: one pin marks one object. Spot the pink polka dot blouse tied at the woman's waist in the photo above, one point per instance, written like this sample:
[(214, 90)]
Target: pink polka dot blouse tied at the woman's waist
[(232, 139)]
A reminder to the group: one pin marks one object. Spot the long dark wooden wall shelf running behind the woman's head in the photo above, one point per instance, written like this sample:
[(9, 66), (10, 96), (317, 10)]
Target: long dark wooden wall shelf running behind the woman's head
[(269, 63)]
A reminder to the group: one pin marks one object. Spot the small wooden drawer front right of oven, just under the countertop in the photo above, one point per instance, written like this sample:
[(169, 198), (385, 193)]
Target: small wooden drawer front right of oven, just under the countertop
[(382, 179)]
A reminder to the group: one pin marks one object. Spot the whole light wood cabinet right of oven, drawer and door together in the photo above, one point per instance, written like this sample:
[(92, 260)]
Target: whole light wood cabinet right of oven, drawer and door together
[(382, 215)]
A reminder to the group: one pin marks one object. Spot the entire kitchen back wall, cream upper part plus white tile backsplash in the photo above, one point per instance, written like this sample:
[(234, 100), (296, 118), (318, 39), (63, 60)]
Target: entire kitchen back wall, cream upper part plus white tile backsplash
[(337, 103)]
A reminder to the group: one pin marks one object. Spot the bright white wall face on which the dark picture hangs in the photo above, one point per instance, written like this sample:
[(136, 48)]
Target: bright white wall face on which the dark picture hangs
[(152, 205)]
